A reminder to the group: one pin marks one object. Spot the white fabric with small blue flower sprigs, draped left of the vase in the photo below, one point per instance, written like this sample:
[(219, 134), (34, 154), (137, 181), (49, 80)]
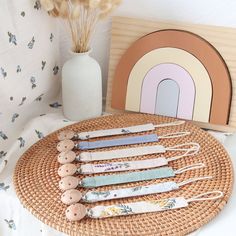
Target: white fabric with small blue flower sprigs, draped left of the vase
[(29, 104)]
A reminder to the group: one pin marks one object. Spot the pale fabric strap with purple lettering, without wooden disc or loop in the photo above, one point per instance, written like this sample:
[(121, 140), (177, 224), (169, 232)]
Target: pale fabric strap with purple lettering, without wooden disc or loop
[(122, 166)]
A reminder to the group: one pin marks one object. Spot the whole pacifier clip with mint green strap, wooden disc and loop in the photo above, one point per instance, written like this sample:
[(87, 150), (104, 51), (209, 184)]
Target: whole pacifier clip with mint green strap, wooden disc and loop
[(71, 182)]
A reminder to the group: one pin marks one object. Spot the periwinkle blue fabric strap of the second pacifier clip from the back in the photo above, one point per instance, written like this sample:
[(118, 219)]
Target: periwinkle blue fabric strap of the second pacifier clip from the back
[(117, 142)]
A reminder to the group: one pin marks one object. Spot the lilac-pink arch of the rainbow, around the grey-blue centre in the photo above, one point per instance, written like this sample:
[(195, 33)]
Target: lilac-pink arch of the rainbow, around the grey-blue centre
[(176, 73)]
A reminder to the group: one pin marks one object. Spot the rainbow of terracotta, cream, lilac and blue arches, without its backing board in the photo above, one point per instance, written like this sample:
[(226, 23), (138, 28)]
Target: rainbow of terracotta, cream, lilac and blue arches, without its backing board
[(200, 73)]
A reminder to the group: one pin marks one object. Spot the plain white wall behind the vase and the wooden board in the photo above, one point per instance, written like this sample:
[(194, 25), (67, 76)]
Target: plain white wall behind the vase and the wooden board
[(212, 12)]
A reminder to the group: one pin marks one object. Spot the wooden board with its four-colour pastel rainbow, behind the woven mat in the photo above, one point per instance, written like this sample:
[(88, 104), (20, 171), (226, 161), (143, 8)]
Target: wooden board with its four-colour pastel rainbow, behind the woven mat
[(170, 71)]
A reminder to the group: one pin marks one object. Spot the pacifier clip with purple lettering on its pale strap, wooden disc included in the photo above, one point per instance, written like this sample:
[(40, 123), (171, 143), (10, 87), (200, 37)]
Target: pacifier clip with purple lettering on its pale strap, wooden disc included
[(71, 169)]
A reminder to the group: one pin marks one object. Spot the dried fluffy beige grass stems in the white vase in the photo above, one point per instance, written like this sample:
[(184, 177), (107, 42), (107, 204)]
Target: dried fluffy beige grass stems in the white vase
[(82, 16)]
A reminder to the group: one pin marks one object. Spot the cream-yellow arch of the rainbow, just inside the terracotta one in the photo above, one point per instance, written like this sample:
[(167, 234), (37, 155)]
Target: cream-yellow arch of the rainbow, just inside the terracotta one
[(179, 57)]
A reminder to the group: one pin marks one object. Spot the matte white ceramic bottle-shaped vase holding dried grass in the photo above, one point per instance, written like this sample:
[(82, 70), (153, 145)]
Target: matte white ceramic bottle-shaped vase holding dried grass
[(81, 87)]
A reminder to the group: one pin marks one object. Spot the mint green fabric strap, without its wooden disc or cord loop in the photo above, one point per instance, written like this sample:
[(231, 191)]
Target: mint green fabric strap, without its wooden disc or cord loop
[(91, 182)]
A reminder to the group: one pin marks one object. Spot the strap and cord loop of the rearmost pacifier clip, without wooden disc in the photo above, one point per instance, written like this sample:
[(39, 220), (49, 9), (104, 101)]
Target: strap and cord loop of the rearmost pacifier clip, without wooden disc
[(125, 130)]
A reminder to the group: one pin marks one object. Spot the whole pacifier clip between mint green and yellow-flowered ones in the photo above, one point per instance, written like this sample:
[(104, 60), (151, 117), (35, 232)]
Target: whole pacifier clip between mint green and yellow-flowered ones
[(72, 196)]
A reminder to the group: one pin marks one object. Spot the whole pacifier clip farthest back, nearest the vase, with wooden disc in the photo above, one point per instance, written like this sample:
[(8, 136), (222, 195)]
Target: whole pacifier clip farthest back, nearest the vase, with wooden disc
[(69, 134)]
